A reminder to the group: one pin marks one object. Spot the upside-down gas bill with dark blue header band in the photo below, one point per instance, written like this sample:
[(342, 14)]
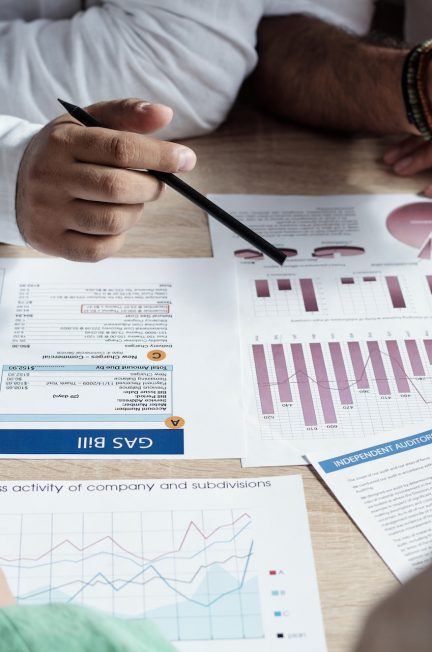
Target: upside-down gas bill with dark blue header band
[(126, 357)]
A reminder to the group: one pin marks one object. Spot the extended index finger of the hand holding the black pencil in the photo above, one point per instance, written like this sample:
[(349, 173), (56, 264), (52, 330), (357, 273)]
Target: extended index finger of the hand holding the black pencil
[(125, 149)]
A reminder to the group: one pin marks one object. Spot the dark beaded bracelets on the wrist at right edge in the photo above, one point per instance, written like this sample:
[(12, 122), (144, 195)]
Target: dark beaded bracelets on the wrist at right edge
[(414, 88)]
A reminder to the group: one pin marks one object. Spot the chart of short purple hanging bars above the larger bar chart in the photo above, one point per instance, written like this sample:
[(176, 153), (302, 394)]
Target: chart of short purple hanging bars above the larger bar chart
[(376, 295)]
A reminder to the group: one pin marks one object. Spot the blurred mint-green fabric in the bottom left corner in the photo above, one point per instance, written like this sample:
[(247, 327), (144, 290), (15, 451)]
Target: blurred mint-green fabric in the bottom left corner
[(67, 628)]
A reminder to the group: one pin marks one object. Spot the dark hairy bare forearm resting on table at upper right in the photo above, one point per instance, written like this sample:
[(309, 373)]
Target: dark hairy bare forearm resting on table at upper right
[(317, 74)]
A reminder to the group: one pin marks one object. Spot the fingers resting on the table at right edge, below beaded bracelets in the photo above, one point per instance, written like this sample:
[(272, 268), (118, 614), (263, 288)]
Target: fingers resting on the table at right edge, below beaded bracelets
[(410, 156)]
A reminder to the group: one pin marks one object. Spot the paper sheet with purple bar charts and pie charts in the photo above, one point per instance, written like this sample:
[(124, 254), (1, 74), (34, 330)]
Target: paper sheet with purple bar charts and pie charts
[(336, 344)]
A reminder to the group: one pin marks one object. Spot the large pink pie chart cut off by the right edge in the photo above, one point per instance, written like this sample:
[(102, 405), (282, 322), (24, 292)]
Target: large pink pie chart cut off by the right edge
[(412, 225)]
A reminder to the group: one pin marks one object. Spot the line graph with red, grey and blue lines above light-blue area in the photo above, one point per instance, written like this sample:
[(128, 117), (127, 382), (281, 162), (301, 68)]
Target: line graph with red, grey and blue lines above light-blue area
[(190, 571)]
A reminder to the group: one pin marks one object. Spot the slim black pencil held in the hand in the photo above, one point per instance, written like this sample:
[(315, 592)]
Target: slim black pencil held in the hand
[(193, 195)]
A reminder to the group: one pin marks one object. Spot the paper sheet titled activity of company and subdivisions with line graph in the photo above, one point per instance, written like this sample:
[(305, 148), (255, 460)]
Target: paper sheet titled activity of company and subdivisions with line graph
[(219, 564)]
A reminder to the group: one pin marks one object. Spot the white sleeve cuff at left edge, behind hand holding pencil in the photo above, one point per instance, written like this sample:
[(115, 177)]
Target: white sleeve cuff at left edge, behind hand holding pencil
[(15, 134)]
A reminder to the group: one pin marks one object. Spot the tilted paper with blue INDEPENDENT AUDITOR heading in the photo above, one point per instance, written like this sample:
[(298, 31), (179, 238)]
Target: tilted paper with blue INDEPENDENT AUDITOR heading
[(386, 488)]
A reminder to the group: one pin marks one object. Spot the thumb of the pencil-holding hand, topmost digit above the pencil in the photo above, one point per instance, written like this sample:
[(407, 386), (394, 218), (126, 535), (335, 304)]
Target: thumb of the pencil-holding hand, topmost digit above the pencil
[(132, 114)]
